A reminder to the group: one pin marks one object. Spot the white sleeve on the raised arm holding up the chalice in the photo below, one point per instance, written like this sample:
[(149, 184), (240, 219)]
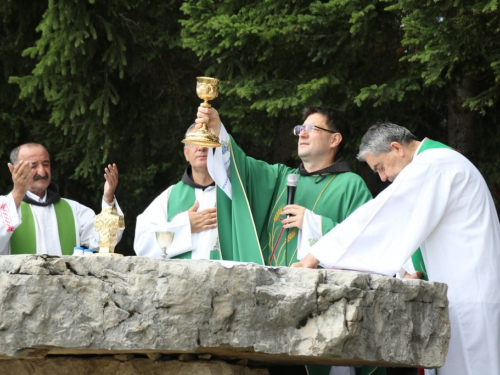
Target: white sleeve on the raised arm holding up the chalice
[(219, 163)]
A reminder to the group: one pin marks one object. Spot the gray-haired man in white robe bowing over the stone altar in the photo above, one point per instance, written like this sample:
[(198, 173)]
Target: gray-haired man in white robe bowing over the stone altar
[(438, 201)]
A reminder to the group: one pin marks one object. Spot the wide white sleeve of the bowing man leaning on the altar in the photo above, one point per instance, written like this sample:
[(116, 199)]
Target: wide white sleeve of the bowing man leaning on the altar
[(381, 235)]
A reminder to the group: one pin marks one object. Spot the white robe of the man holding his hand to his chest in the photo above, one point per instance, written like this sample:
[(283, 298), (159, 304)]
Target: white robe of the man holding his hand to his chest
[(154, 219)]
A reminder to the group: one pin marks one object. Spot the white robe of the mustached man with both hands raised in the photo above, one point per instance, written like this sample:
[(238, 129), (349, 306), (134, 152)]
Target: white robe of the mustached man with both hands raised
[(46, 230)]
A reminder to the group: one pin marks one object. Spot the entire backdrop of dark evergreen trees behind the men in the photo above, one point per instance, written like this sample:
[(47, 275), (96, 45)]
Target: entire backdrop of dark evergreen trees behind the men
[(99, 82)]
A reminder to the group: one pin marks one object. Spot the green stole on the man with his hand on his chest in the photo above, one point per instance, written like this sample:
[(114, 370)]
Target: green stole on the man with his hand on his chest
[(181, 199)]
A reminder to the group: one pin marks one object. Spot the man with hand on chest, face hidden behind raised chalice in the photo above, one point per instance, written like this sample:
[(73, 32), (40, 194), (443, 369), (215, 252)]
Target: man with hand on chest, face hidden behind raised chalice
[(187, 209)]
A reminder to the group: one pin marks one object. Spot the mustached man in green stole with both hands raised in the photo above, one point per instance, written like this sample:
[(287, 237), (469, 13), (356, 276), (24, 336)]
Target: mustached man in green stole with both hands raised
[(34, 219)]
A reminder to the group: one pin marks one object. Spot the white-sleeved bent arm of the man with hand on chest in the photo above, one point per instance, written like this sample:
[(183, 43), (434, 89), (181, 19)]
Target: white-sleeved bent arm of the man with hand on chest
[(154, 219)]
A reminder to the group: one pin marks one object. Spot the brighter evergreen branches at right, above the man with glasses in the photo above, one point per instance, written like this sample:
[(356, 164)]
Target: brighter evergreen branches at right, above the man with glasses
[(429, 65)]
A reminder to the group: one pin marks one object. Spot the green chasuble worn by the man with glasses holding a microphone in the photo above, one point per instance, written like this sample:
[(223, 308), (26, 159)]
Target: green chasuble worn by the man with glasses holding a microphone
[(250, 224)]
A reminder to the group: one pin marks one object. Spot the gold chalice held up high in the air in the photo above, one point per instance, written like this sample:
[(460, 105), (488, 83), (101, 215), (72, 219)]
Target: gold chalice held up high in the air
[(207, 88)]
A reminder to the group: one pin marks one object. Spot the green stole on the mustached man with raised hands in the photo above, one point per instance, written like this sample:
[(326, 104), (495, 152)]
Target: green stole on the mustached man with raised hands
[(23, 240)]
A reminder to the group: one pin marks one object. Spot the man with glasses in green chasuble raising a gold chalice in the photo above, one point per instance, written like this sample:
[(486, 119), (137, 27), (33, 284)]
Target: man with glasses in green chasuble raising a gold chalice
[(255, 222)]
